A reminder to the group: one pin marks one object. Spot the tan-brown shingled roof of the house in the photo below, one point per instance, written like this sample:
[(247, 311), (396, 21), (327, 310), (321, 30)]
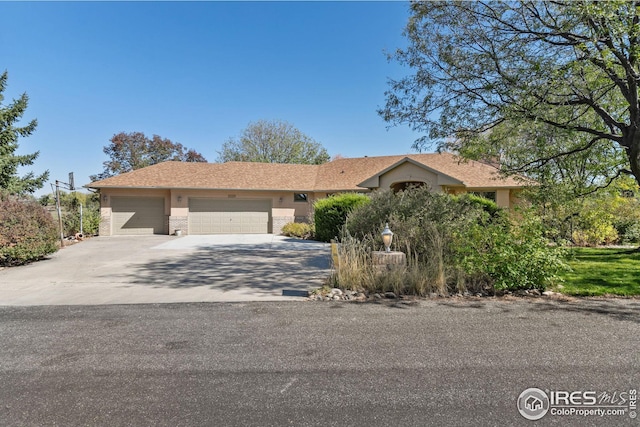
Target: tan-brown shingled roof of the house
[(337, 175)]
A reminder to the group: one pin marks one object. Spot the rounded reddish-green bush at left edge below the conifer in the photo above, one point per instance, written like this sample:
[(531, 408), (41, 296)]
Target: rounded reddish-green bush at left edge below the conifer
[(27, 231)]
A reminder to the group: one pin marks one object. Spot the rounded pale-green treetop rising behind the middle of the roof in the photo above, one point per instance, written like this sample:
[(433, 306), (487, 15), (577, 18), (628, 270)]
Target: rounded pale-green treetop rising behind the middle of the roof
[(273, 142)]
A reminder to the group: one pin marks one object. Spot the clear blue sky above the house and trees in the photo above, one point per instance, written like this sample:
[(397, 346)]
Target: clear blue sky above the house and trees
[(198, 73)]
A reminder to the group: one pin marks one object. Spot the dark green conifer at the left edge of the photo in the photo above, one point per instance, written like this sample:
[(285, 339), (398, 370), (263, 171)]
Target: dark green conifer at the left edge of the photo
[(10, 114)]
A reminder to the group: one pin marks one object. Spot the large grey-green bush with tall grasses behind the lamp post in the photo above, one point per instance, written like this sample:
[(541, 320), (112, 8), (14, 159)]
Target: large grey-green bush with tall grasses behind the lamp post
[(423, 224)]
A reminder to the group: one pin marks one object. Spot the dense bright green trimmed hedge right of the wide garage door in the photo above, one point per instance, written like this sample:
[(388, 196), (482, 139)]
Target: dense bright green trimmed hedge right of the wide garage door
[(331, 213)]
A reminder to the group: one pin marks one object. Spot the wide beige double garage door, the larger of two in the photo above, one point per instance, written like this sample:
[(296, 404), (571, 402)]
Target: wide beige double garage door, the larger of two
[(217, 216)]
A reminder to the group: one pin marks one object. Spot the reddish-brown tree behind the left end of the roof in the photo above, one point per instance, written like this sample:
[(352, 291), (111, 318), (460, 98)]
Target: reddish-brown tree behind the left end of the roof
[(130, 151)]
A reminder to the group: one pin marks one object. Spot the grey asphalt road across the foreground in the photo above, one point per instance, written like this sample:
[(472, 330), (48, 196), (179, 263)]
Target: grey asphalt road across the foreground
[(443, 362)]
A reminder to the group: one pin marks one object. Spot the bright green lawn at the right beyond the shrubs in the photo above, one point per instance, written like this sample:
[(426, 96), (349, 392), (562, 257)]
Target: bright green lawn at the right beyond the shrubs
[(602, 271)]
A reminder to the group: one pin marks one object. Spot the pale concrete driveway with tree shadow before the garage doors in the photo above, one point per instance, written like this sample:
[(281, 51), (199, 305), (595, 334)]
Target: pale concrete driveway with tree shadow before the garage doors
[(165, 269)]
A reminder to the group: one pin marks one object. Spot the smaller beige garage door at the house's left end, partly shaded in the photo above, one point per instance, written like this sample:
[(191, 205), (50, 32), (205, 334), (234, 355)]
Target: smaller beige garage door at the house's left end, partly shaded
[(138, 215)]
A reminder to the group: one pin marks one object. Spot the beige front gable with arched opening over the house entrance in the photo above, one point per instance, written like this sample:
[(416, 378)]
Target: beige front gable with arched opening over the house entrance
[(409, 170)]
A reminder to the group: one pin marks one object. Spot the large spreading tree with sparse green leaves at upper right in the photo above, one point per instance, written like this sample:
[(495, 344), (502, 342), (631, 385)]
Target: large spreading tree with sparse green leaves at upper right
[(565, 67)]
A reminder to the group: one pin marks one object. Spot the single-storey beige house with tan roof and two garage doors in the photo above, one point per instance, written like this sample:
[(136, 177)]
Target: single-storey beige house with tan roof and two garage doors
[(245, 197)]
